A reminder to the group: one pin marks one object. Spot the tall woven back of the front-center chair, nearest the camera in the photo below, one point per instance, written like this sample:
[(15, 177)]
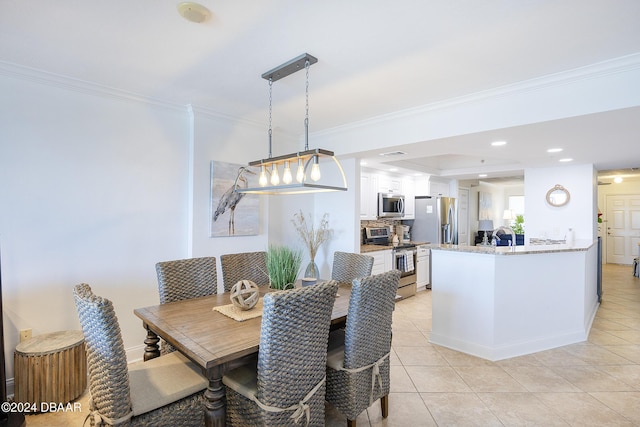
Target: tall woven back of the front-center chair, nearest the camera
[(293, 346)]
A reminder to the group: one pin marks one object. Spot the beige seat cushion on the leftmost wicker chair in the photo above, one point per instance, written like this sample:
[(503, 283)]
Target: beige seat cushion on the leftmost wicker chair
[(163, 380)]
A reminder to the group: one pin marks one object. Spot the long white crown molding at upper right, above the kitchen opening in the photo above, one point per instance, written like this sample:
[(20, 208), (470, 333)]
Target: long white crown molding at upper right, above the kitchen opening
[(590, 72)]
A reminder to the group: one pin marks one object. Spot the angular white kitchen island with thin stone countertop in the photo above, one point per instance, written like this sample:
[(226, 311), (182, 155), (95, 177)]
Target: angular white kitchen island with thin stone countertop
[(502, 302)]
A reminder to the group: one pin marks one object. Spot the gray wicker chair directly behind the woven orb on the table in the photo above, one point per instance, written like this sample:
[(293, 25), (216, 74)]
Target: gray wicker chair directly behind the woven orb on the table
[(244, 266)]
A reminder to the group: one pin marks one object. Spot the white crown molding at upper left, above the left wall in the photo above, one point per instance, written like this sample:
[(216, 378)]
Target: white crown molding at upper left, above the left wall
[(59, 81)]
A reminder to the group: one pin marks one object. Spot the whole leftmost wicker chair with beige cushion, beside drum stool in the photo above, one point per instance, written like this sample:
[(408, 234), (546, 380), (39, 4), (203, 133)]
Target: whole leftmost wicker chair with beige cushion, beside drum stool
[(165, 391)]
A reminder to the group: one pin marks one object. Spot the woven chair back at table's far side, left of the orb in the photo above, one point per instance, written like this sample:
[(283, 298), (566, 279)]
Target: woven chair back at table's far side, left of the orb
[(187, 278)]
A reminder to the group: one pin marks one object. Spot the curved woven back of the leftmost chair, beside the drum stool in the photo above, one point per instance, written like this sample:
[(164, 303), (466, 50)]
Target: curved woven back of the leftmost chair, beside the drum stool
[(106, 358)]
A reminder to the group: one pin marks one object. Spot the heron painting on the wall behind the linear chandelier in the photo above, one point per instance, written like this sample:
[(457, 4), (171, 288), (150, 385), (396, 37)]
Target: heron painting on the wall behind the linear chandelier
[(233, 214)]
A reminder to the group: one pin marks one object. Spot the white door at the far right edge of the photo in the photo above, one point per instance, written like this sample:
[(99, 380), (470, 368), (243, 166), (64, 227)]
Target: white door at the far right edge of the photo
[(623, 228)]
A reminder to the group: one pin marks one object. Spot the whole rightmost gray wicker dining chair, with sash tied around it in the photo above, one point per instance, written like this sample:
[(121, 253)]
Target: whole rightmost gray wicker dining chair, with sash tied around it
[(357, 353)]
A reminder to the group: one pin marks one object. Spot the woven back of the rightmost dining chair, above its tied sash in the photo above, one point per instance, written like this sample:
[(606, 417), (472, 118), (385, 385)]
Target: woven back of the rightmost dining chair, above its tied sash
[(368, 329)]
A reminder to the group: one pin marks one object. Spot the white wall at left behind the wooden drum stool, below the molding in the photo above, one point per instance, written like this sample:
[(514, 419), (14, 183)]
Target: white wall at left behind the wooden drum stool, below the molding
[(94, 189)]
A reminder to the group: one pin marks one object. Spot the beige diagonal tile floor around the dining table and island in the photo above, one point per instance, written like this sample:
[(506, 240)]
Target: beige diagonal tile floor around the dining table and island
[(595, 383)]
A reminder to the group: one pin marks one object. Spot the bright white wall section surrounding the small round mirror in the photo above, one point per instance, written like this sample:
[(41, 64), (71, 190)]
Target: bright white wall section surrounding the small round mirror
[(543, 220)]
